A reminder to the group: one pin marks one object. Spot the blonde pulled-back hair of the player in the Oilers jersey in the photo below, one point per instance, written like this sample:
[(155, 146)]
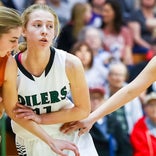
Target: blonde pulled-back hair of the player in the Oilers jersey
[(25, 18)]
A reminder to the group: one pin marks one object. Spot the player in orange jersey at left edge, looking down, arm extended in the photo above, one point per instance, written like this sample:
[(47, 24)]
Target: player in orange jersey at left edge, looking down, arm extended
[(10, 31)]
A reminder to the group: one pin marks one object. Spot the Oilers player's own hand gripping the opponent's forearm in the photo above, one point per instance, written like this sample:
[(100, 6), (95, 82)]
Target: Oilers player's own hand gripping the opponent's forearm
[(26, 113)]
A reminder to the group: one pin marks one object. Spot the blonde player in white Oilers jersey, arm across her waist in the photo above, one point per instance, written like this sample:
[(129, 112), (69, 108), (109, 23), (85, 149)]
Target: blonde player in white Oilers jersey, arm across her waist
[(45, 77)]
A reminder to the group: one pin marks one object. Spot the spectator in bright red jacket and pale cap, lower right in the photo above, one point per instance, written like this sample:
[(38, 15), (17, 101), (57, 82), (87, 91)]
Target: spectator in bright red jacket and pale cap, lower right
[(143, 136)]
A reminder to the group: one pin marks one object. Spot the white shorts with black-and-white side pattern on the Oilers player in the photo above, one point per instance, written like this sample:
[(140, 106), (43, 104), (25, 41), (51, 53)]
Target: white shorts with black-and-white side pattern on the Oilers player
[(36, 147)]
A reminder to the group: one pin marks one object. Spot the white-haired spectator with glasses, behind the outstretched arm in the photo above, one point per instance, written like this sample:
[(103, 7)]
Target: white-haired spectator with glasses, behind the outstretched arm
[(129, 114)]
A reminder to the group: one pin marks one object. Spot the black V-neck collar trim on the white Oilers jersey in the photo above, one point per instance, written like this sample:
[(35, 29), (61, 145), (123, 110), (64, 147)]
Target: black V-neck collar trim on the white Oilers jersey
[(47, 69)]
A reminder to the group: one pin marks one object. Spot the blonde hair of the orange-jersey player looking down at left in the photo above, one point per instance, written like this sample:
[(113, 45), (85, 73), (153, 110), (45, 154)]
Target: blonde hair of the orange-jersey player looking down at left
[(9, 19)]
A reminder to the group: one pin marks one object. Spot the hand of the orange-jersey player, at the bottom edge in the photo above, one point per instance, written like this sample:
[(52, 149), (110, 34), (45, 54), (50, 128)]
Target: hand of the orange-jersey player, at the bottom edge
[(58, 146)]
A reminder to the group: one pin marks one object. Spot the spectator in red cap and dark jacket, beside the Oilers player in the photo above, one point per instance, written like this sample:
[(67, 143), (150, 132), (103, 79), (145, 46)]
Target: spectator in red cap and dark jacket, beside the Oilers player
[(107, 134)]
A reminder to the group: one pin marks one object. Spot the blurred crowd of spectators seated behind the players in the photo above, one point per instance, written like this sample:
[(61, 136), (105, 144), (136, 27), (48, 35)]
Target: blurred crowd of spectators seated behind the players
[(114, 39)]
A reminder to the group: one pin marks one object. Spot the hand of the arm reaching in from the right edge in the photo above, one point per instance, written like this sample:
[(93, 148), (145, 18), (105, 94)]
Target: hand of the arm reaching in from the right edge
[(83, 126)]
